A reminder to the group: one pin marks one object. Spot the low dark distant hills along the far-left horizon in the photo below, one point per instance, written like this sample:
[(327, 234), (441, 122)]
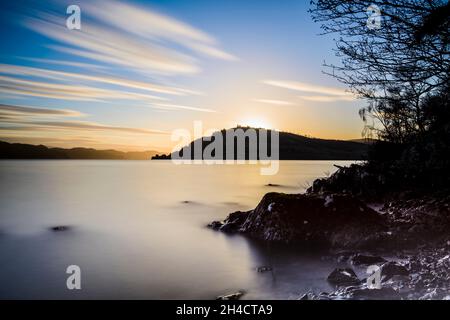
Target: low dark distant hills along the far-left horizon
[(28, 151)]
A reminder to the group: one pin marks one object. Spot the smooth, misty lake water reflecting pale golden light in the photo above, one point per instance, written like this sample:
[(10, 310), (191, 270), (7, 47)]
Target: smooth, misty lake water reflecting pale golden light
[(138, 231)]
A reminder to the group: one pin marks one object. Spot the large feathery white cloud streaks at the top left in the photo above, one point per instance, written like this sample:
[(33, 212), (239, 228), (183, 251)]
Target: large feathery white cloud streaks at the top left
[(132, 37)]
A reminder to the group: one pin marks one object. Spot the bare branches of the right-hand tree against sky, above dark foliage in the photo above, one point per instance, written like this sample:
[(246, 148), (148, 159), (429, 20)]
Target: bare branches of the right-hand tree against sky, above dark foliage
[(395, 65)]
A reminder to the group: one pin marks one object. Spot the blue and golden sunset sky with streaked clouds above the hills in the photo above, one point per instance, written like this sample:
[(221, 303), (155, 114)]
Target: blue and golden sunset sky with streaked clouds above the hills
[(138, 70)]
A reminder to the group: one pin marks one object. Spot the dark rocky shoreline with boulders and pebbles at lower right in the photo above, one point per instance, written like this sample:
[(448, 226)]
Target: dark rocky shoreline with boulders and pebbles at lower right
[(407, 236)]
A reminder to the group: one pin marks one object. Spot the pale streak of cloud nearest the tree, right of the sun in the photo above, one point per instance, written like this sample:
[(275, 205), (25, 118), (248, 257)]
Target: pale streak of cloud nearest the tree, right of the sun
[(326, 94)]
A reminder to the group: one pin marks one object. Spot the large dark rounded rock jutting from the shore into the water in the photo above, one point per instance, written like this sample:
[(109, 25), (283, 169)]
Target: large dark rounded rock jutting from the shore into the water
[(281, 218)]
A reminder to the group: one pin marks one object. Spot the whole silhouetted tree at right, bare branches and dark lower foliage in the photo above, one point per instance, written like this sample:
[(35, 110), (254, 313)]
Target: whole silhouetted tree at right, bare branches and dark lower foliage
[(395, 55)]
